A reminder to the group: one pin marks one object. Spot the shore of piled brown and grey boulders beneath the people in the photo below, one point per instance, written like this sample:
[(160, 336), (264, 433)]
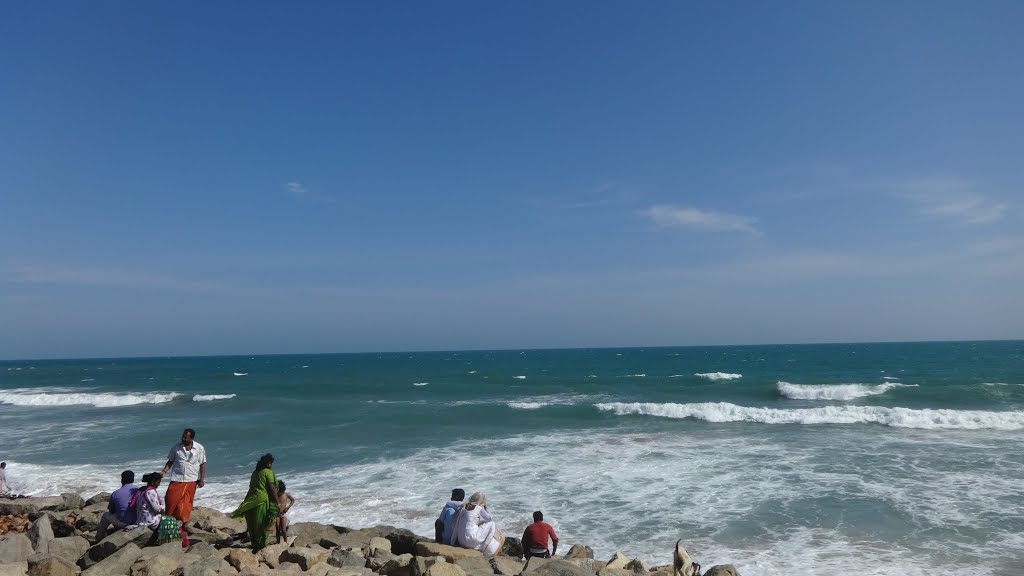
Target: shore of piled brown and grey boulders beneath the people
[(54, 537)]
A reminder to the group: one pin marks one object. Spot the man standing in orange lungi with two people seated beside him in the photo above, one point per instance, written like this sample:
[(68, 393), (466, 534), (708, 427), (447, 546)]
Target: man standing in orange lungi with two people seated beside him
[(132, 507)]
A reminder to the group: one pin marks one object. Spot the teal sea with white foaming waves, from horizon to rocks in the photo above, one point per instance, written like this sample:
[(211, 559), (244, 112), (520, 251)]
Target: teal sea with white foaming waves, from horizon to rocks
[(824, 460)]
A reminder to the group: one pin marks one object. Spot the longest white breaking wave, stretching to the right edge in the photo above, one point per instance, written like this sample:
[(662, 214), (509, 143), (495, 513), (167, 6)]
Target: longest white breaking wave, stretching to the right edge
[(897, 418)]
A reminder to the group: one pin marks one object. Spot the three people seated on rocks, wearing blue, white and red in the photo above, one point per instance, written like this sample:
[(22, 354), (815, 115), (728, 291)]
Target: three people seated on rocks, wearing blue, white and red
[(468, 524)]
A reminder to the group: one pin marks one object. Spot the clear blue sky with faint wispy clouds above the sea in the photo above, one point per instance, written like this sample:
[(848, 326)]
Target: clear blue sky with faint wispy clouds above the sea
[(191, 178)]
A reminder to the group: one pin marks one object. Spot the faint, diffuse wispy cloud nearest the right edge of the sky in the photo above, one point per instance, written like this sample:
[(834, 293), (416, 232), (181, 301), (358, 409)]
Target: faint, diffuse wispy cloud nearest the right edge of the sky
[(953, 200)]
